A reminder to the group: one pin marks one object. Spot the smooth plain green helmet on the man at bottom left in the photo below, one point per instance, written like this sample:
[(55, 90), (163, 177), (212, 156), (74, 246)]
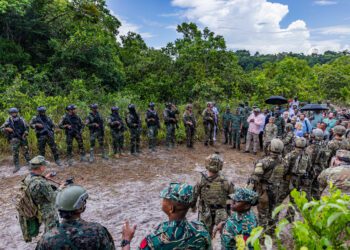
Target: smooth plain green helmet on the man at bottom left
[(71, 198)]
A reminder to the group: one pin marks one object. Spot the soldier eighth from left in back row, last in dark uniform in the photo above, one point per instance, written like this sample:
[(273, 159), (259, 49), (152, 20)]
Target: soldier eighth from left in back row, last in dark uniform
[(170, 121)]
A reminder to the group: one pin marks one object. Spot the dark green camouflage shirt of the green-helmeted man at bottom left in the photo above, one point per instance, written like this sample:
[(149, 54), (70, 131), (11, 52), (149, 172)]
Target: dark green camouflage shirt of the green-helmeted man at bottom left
[(76, 234)]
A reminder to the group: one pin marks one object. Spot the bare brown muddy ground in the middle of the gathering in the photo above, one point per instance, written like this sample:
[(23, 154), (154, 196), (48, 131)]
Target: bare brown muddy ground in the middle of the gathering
[(126, 188)]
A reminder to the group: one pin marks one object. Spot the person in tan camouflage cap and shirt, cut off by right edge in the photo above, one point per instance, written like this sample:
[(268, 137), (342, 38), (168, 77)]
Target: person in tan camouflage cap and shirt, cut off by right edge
[(338, 173)]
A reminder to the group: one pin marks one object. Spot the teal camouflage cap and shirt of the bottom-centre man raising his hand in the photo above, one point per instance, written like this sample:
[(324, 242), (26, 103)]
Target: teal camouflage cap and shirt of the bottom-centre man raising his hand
[(180, 234)]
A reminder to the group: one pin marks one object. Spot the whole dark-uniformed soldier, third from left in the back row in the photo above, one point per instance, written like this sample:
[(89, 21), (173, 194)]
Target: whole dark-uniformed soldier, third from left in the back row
[(73, 126)]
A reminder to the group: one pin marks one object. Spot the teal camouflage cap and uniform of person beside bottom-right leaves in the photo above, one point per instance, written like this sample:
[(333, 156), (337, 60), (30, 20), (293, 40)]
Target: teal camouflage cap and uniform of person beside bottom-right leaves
[(239, 224)]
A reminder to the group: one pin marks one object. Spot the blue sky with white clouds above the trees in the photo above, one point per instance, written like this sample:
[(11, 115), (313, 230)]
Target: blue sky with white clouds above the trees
[(266, 26)]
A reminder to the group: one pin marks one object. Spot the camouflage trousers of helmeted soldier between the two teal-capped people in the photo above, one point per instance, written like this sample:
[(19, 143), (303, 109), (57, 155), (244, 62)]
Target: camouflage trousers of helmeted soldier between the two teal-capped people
[(212, 217)]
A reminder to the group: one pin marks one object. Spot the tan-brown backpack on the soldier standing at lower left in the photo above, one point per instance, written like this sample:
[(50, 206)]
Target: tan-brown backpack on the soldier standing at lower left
[(24, 202)]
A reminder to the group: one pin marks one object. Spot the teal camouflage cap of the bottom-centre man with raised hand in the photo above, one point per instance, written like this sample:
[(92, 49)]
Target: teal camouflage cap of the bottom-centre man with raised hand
[(179, 192)]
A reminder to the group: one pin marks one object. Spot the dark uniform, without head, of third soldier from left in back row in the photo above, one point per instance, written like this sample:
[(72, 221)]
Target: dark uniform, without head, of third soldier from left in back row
[(75, 132)]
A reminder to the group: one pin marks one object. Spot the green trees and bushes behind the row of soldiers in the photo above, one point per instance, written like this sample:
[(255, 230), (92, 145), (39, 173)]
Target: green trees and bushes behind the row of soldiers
[(56, 52)]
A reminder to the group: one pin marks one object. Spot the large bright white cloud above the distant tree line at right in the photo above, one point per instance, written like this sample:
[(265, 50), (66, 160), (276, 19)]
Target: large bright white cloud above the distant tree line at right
[(254, 25)]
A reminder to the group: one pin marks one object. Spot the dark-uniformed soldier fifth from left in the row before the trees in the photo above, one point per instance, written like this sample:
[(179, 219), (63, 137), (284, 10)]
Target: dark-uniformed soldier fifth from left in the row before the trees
[(117, 126)]
